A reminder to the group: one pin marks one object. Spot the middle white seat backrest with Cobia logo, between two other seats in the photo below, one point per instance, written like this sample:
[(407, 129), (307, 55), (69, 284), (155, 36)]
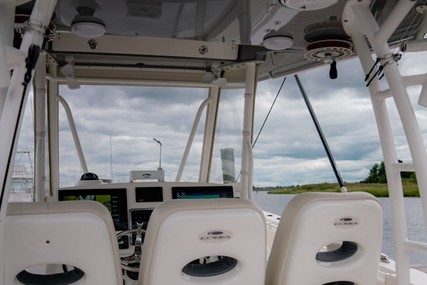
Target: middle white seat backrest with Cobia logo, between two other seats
[(213, 241)]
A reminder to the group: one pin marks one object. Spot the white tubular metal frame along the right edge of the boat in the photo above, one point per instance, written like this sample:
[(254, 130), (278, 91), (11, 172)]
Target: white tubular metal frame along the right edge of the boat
[(361, 25)]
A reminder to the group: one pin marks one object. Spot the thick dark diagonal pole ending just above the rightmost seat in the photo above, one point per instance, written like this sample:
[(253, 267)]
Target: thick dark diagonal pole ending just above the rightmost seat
[(322, 136)]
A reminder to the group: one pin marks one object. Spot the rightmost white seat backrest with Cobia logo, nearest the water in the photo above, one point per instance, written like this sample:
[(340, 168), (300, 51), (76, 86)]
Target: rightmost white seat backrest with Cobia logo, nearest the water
[(327, 238)]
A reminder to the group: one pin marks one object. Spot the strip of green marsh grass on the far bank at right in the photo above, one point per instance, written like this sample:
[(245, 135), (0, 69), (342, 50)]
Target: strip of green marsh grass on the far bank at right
[(378, 190)]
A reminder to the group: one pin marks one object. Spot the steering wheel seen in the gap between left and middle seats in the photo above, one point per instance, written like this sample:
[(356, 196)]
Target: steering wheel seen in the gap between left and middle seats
[(132, 262)]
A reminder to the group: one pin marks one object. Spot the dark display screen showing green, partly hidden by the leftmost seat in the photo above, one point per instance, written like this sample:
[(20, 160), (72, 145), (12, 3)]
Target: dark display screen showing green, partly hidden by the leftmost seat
[(113, 199)]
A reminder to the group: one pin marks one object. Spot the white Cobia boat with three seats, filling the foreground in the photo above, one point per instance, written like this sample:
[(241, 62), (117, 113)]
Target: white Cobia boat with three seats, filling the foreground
[(192, 220)]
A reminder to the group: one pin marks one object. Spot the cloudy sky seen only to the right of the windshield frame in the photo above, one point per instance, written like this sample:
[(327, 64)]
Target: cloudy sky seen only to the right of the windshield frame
[(344, 110)]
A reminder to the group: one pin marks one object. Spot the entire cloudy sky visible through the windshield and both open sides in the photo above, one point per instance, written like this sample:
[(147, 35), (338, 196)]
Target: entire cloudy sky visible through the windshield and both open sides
[(117, 125)]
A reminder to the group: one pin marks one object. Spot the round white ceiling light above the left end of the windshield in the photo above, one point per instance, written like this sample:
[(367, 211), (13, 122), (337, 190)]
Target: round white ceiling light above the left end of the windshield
[(86, 25)]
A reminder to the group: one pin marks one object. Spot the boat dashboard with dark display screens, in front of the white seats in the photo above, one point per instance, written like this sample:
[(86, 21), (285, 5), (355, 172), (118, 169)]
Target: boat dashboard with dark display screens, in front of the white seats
[(133, 202)]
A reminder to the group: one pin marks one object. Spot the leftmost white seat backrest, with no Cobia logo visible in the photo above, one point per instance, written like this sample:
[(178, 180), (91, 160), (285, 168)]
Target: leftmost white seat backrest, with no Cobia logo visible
[(59, 243)]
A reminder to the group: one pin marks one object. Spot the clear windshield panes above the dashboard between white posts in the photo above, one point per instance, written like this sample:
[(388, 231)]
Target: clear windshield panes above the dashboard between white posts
[(123, 128)]
